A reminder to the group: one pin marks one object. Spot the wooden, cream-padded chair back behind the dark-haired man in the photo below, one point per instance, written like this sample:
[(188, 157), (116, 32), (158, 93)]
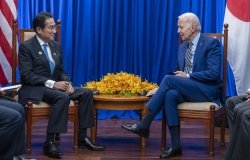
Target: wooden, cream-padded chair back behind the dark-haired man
[(21, 35)]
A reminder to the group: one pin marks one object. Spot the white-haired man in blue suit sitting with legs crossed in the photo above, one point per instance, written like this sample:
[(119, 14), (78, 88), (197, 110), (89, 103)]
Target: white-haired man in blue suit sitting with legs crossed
[(196, 79)]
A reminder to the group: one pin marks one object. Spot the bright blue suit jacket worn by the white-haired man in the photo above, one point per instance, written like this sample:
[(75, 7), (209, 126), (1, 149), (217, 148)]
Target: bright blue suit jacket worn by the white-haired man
[(206, 66)]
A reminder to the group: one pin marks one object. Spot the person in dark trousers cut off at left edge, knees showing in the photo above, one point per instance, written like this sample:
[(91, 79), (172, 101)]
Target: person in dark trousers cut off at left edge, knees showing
[(12, 129)]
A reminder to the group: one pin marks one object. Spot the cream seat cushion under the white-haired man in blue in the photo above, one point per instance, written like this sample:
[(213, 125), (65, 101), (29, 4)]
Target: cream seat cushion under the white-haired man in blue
[(203, 106)]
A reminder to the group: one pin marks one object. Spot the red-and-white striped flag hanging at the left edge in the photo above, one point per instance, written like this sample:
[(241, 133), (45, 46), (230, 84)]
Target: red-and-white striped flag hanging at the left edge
[(8, 12)]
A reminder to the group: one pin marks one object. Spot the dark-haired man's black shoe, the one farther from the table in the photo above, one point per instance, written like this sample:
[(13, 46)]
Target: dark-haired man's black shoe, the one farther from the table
[(50, 150)]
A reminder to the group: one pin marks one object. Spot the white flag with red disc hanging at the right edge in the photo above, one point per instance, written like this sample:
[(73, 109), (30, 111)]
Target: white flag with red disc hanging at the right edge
[(237, 15)]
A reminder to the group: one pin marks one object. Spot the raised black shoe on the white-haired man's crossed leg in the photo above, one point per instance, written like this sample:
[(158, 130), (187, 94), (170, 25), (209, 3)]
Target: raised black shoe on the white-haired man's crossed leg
[(134, 129)]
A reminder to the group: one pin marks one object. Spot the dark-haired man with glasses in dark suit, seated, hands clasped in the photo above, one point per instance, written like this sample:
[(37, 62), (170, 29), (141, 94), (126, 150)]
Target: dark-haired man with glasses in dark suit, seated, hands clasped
[(43, 79)]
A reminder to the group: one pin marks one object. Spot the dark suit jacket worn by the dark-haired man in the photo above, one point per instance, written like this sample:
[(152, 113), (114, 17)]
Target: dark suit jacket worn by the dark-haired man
[(35, 70)]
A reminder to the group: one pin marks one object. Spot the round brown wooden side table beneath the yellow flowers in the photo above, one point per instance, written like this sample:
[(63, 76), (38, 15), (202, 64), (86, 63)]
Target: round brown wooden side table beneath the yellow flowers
[(117, 102)]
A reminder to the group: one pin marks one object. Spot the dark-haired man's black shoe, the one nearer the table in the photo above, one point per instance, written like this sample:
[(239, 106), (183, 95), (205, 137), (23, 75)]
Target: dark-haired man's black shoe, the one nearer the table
[(86, 143)]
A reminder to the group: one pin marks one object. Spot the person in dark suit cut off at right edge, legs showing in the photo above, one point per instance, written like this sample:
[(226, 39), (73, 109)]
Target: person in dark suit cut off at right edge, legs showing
[(238, 114)]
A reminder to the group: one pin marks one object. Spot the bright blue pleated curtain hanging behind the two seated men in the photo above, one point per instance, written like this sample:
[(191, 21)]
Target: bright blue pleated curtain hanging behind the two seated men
[(135, 36)]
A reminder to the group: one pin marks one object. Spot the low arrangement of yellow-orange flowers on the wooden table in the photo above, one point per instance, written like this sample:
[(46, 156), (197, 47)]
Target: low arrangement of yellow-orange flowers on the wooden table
[(121, 83)]
